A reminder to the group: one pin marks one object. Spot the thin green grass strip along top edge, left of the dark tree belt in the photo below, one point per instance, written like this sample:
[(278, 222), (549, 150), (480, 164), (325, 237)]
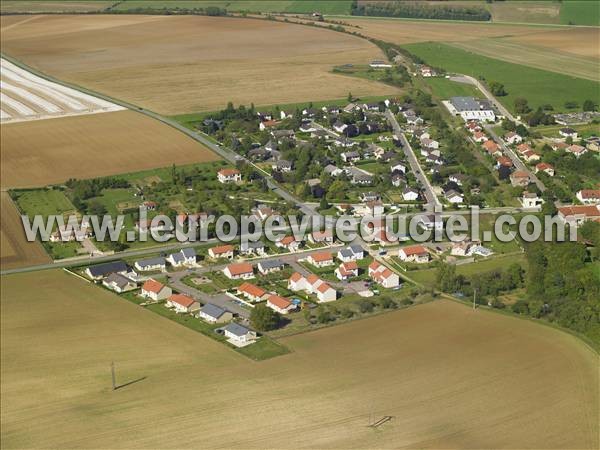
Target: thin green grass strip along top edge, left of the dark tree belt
[(283, 6)]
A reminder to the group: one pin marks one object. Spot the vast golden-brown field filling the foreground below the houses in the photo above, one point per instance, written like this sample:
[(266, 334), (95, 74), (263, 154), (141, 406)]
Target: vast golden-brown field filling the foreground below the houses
[(449, 376)]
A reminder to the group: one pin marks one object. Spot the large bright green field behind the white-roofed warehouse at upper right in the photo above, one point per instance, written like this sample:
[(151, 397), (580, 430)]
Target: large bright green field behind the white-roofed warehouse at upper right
[(539, 87)]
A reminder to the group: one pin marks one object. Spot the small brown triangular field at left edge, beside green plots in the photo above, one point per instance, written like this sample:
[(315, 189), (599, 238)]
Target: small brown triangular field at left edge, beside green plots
[(15, 250)]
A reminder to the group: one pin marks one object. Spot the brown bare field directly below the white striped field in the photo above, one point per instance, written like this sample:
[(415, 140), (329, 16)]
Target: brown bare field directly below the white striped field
[(52, 151)]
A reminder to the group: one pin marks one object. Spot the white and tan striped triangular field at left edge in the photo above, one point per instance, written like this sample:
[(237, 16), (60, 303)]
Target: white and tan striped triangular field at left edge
[(25, 96)]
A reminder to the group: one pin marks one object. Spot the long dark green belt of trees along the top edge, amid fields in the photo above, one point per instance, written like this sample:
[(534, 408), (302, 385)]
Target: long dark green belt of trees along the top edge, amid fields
[(420, 11)]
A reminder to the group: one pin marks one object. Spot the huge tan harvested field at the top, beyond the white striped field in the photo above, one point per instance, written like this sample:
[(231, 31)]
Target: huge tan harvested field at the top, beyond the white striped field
[(178, 64)]
